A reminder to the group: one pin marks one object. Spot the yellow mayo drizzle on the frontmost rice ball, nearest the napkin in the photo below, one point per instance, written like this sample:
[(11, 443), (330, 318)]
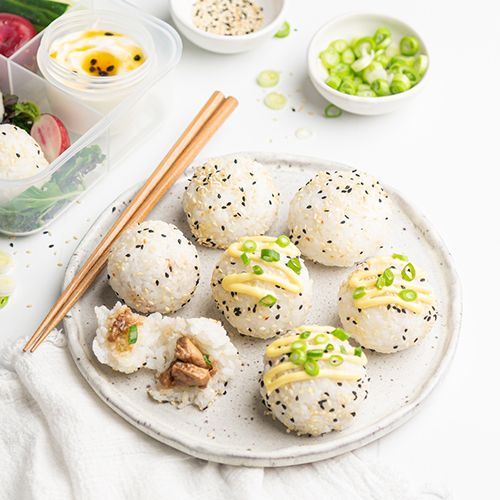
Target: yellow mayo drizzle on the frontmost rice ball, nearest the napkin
[(276, 378)]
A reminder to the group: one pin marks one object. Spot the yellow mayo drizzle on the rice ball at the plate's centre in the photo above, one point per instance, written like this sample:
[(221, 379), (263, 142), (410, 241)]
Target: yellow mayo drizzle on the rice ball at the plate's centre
[(247, 283)]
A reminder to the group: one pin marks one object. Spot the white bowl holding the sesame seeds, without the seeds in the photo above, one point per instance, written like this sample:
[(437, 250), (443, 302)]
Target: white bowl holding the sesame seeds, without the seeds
[(274, 16)]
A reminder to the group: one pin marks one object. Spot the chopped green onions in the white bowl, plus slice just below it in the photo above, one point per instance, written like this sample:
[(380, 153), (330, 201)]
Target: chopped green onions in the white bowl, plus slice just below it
[(373, 66)]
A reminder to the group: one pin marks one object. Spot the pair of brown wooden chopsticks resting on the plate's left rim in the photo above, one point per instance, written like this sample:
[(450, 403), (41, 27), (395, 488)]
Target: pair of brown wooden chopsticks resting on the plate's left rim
[(181, 155)]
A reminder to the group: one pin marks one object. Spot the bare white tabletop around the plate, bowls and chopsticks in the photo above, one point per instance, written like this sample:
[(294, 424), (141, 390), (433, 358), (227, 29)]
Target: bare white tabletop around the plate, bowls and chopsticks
[(440, 150)]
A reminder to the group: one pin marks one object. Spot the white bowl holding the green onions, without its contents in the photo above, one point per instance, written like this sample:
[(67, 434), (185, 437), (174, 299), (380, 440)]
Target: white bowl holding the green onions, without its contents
[(354, 26)]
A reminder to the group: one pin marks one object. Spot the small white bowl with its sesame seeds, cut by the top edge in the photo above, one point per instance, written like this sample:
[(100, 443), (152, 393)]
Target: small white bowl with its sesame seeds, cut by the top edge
[(228, 26)]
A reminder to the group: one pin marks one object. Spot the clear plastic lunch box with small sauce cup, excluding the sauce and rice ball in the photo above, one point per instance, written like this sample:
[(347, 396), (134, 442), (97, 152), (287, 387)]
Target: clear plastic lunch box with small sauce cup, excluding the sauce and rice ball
[(97, 138)]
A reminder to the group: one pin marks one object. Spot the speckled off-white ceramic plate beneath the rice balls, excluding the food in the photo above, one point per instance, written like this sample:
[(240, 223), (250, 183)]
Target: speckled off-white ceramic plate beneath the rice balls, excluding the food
[(235, 430)]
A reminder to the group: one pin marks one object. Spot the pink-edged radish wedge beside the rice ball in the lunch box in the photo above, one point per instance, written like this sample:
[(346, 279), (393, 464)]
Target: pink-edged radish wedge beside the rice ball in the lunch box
[(51, 135)]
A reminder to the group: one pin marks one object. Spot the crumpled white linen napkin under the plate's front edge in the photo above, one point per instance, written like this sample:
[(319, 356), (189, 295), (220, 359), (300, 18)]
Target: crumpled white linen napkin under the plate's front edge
[(58, 440)]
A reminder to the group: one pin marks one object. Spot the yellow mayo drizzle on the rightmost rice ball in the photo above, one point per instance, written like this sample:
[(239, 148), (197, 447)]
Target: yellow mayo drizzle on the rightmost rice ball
[(388, 294)]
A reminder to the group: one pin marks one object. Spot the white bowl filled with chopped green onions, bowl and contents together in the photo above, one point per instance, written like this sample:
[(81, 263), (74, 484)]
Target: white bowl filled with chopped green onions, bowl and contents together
[(367, 64)]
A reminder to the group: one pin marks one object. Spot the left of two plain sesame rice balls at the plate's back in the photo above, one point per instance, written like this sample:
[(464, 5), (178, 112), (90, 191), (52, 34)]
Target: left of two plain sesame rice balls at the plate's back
[(228, 198)]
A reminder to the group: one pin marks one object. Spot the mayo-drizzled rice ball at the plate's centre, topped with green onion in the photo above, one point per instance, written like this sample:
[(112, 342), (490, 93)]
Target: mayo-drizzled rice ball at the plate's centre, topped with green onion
[(262, 286)]
